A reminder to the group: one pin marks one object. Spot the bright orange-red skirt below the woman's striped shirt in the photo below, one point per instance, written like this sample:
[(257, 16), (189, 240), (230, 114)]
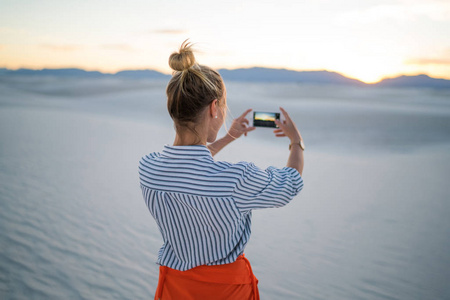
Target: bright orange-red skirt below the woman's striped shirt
[(229, 281)]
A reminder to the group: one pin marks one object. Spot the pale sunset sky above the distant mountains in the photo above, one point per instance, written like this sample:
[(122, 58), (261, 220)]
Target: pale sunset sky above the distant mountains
[(367, 40)]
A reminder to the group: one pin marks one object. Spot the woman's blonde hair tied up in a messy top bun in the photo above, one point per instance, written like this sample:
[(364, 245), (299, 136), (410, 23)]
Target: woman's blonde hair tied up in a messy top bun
[(192, 87)]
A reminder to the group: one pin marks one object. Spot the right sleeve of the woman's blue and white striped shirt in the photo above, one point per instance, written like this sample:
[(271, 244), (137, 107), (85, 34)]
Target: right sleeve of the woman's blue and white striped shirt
[(272, 187)]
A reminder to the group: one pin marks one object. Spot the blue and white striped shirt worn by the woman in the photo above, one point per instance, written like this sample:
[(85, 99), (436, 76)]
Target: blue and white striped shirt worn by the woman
[(203, 207)]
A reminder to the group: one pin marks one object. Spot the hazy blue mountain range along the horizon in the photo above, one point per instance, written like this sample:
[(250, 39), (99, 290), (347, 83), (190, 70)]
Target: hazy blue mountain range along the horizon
[(256, 74)]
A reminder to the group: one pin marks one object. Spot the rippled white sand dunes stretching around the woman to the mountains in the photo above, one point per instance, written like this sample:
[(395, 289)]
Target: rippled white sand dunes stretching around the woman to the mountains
[(371, 223)]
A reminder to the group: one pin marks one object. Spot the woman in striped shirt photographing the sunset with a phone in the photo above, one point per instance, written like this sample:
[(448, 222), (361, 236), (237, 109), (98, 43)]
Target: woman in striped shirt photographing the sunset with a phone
[(203, 207)]
